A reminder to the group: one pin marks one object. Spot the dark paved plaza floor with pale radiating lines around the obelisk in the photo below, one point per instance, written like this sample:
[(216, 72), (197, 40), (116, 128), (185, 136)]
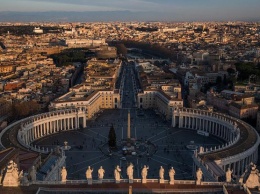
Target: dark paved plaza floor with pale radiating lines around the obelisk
[(170, 145)]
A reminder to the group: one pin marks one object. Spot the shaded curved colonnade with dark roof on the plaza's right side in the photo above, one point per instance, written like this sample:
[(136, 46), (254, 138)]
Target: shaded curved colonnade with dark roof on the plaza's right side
[(240, 149)]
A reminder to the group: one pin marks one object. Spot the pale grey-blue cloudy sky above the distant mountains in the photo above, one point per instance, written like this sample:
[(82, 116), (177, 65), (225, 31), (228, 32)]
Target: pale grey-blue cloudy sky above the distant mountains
[(179, 9)]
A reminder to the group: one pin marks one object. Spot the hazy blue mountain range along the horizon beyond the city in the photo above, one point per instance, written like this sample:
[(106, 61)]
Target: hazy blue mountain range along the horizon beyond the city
[(104, 16)]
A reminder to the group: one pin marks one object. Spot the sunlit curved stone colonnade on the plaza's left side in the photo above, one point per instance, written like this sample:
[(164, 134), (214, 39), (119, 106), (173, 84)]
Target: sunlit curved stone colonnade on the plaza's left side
[(50, 123)]
